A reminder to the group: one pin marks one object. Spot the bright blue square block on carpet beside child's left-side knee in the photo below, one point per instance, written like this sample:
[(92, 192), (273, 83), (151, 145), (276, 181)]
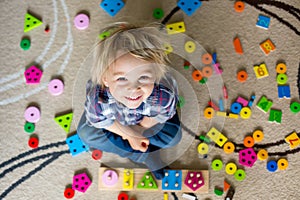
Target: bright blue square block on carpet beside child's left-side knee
[(76, 146)]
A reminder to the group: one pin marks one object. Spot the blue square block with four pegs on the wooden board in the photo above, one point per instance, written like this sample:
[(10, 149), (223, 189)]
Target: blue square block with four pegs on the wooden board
[(172, 180)]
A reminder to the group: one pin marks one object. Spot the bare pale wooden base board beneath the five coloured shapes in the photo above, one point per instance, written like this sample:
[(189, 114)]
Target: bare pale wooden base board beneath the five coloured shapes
[(139, 174)]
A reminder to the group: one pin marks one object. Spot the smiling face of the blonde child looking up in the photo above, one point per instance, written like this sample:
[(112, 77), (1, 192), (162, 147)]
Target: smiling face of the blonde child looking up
[(130, 80)]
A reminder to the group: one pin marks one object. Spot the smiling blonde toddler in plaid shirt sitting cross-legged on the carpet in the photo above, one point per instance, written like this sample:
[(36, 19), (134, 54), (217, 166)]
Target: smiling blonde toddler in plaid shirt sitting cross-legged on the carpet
[(131, 99)]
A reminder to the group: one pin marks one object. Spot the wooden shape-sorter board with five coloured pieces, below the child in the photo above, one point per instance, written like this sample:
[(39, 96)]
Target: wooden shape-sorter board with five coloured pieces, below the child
[(143, 180)]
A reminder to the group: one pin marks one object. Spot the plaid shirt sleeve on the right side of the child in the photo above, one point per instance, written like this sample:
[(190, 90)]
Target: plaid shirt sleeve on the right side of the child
[(167, 98)]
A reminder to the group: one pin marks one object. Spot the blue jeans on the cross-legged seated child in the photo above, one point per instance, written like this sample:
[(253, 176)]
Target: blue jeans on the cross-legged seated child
[(160, 136)]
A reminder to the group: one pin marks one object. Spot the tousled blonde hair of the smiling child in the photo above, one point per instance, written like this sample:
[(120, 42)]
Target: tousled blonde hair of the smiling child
[(147, 43)]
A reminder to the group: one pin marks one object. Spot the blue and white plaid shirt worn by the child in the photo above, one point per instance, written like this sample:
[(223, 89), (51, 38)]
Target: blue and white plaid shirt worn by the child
[(102, 109)]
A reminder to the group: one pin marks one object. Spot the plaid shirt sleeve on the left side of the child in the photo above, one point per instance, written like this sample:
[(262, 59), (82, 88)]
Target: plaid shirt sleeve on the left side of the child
[(98, 114)]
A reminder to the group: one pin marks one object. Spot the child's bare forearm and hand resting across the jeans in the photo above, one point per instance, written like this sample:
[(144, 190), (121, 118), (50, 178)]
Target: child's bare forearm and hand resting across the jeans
[(135, 138)]
